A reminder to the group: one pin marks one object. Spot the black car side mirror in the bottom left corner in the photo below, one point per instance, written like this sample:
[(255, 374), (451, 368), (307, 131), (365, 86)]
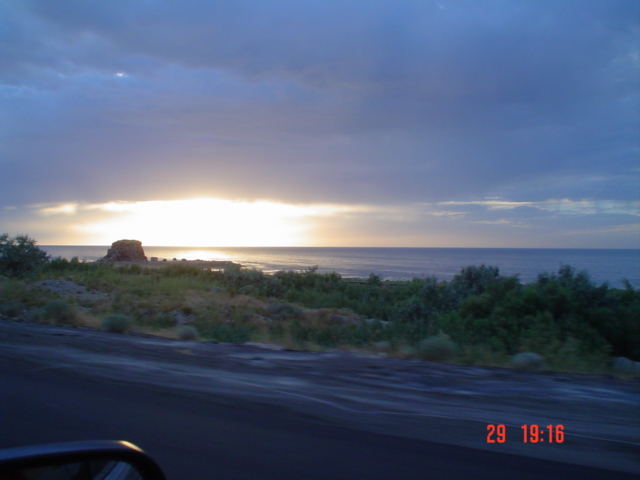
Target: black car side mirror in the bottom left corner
[(89, 460)]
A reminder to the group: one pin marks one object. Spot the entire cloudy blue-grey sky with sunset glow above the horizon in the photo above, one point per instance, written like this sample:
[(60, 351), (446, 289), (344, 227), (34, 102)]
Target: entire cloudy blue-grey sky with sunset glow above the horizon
[(388, 123)]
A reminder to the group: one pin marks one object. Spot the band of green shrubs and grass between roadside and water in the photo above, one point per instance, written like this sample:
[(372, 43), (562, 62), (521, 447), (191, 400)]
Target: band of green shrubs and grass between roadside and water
[(479, 317)]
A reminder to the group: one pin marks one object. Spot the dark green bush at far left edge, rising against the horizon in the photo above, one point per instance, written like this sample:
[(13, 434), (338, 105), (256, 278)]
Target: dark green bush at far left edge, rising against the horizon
[(19, 256)]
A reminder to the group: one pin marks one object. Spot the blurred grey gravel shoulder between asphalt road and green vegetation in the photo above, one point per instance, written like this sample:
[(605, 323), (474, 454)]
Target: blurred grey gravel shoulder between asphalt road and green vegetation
[(444, 403)]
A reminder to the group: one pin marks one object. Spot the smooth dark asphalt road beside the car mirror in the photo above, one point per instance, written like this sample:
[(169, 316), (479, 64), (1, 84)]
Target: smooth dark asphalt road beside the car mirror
[(193, 437)]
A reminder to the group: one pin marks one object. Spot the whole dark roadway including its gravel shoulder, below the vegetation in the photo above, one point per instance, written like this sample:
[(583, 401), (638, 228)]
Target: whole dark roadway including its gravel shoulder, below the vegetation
[(240, 411)]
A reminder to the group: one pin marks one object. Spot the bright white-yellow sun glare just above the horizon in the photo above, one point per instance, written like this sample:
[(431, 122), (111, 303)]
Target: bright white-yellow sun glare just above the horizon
[(201, 222)]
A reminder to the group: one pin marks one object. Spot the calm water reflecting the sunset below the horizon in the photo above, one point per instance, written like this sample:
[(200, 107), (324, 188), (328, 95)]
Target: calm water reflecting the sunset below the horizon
[(401, 263)]
